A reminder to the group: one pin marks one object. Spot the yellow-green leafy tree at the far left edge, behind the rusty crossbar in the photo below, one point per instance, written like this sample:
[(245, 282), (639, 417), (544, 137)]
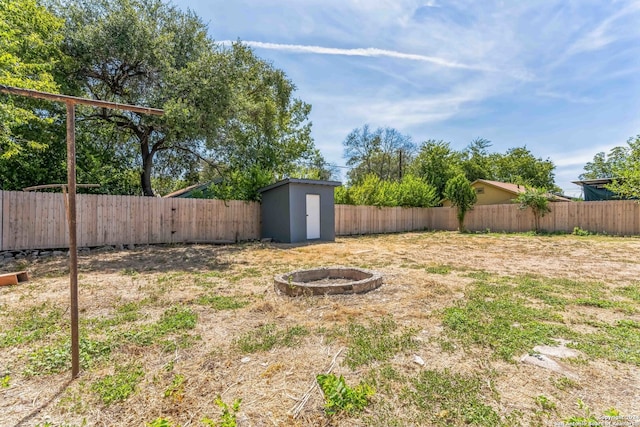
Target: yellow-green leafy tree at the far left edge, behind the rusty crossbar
[(31, 149)]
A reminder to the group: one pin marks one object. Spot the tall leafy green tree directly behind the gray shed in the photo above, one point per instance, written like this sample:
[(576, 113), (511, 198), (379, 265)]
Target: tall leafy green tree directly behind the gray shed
[(266, 135)]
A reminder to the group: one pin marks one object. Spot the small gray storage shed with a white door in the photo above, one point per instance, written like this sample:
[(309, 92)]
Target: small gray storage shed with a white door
[(298, 210)]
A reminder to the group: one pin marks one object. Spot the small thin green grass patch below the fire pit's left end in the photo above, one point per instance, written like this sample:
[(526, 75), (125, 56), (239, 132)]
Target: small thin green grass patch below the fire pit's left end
[(269, 336)]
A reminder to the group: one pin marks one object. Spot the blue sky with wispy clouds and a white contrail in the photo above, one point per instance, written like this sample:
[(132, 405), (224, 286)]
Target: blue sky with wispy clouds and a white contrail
[(559, 76)]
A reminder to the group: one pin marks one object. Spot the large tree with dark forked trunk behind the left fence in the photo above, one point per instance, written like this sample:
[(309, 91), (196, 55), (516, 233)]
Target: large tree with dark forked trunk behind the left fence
[(138, 52)]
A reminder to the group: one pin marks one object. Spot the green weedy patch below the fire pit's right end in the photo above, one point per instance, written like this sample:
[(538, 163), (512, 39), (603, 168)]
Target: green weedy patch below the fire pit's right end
[(376, 342)]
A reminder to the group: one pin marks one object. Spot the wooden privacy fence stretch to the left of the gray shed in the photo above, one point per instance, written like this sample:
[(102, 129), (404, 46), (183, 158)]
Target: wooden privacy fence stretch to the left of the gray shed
[(37, 220)]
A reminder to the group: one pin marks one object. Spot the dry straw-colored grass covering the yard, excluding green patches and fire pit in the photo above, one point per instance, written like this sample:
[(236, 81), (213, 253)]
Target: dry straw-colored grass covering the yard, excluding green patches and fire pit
[(424, 274)]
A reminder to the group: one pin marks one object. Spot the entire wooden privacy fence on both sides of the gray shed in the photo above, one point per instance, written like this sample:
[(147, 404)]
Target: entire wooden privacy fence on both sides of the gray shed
[(37, 220)]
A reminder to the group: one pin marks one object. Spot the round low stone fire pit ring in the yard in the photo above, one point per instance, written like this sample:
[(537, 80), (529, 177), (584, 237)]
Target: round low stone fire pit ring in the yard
[(327, 281)]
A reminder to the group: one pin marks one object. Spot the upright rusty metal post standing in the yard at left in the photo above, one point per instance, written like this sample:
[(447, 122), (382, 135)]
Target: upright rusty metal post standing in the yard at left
[(73, 244)]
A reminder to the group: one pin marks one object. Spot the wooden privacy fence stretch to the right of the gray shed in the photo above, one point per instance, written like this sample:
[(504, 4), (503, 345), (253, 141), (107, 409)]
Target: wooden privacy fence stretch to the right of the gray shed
[(610, 217)]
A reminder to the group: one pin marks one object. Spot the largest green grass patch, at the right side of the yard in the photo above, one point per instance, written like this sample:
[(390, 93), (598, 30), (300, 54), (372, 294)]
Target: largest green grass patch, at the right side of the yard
[(512, 315)]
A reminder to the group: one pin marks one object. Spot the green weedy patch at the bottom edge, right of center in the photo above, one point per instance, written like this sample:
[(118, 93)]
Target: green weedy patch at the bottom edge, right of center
[(447, 399)]
